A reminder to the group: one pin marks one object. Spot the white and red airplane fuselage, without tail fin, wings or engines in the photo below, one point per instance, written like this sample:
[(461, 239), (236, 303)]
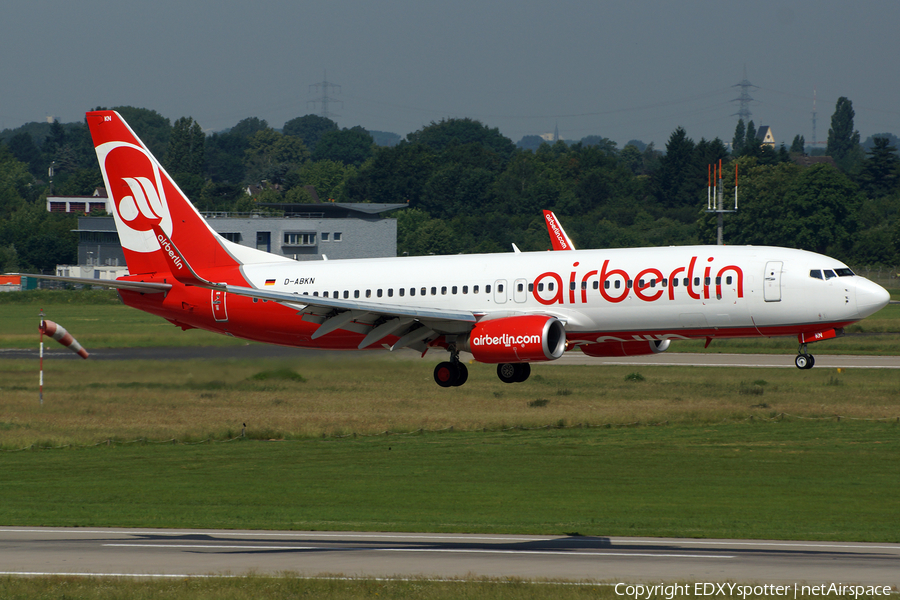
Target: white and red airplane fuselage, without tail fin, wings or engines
[(678, 292)]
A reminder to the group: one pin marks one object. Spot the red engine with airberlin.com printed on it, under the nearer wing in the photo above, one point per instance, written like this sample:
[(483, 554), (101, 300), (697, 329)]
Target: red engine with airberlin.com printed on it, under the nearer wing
[(526, 338)]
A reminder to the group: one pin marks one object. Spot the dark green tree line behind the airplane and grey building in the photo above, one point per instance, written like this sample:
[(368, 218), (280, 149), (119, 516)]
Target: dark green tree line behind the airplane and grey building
[(471, 189)]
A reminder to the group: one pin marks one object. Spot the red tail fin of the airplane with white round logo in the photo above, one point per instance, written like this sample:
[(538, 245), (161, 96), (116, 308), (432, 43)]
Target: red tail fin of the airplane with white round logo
[(144, 196)]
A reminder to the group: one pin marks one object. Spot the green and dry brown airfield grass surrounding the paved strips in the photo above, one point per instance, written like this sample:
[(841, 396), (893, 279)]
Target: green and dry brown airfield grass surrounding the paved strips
[(655, 451)]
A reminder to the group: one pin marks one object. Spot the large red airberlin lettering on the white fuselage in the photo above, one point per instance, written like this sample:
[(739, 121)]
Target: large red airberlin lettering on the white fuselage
[(687, 277)]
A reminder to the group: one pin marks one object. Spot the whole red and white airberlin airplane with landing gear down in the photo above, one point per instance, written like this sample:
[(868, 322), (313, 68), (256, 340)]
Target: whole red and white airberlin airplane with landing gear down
[(508, 309)]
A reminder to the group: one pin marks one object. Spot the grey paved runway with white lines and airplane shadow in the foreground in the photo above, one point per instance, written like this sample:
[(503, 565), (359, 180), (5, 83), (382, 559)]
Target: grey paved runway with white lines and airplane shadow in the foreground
[(170, 553)]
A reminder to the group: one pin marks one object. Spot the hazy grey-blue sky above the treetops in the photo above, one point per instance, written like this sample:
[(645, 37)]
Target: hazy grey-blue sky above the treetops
[(625, 70)]
